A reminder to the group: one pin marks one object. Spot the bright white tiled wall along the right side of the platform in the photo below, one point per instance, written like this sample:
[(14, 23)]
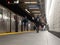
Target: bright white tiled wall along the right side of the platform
[(54, 19)]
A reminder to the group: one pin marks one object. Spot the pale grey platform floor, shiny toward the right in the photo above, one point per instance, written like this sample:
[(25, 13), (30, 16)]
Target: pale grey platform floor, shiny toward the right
[(33, 38)]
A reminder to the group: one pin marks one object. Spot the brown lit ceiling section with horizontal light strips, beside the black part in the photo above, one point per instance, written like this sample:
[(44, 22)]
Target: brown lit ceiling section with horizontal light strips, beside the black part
[(35, 7)]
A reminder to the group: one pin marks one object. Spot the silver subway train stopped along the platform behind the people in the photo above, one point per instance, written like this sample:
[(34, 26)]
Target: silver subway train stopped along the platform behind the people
[(7, 21)]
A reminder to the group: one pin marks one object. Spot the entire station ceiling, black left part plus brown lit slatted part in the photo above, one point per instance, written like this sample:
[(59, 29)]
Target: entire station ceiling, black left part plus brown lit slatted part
[(27, 8)]
